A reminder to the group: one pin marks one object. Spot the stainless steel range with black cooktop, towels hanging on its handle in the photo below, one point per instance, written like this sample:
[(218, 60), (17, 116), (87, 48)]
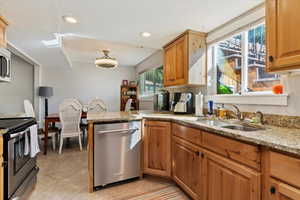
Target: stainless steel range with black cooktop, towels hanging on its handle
[(20, 170)]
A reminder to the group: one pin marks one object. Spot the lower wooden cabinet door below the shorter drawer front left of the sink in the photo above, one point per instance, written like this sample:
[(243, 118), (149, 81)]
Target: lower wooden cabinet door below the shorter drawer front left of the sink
[(187, 167)]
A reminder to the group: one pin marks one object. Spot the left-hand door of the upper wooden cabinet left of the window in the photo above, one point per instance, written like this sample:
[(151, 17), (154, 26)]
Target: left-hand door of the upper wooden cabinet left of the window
[(170, 64)]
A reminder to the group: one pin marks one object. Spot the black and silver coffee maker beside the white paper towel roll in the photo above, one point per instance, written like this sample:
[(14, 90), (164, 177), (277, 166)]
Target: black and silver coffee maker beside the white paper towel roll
[(182, 103)]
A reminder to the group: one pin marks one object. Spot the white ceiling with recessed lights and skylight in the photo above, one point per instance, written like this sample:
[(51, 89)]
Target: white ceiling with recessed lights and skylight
[(112, 24)]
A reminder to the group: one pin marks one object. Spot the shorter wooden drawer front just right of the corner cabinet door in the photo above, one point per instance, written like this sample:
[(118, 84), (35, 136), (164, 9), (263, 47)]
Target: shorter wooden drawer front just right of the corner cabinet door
[(189, 134)]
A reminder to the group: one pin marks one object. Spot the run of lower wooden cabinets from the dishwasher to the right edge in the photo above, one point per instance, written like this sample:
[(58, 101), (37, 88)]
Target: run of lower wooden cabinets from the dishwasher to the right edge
[(202, 169)]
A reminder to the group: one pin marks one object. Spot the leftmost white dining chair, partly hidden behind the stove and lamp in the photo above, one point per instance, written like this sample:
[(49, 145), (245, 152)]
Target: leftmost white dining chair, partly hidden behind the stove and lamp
[(29, 112)]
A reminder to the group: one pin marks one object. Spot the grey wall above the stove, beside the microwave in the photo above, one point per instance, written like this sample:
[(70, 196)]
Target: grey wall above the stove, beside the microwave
[(21, 87)]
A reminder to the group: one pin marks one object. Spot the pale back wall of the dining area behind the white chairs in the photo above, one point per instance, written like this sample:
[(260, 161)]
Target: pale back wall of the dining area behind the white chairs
[(85, 81)]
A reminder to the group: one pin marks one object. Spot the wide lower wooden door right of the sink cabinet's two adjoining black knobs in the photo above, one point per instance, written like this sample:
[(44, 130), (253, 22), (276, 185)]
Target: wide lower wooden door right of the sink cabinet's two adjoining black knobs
[(227, 180)]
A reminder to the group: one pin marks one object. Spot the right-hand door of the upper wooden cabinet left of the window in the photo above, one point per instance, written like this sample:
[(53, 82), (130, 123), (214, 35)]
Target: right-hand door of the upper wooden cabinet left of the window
[(181, 65)]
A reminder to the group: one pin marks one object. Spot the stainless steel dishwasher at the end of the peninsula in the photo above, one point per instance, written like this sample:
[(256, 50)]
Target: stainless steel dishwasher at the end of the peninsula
[(116, 152)]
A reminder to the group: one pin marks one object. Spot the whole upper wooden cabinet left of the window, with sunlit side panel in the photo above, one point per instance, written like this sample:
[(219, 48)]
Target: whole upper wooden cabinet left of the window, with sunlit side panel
[(185, 60)]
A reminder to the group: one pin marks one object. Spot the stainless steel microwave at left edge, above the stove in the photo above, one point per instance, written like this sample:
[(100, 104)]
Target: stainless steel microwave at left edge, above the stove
[(5, 65)]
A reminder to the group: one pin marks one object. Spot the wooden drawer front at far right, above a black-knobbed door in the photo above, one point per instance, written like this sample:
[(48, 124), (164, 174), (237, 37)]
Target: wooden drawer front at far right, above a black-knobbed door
[(285, 168)]
